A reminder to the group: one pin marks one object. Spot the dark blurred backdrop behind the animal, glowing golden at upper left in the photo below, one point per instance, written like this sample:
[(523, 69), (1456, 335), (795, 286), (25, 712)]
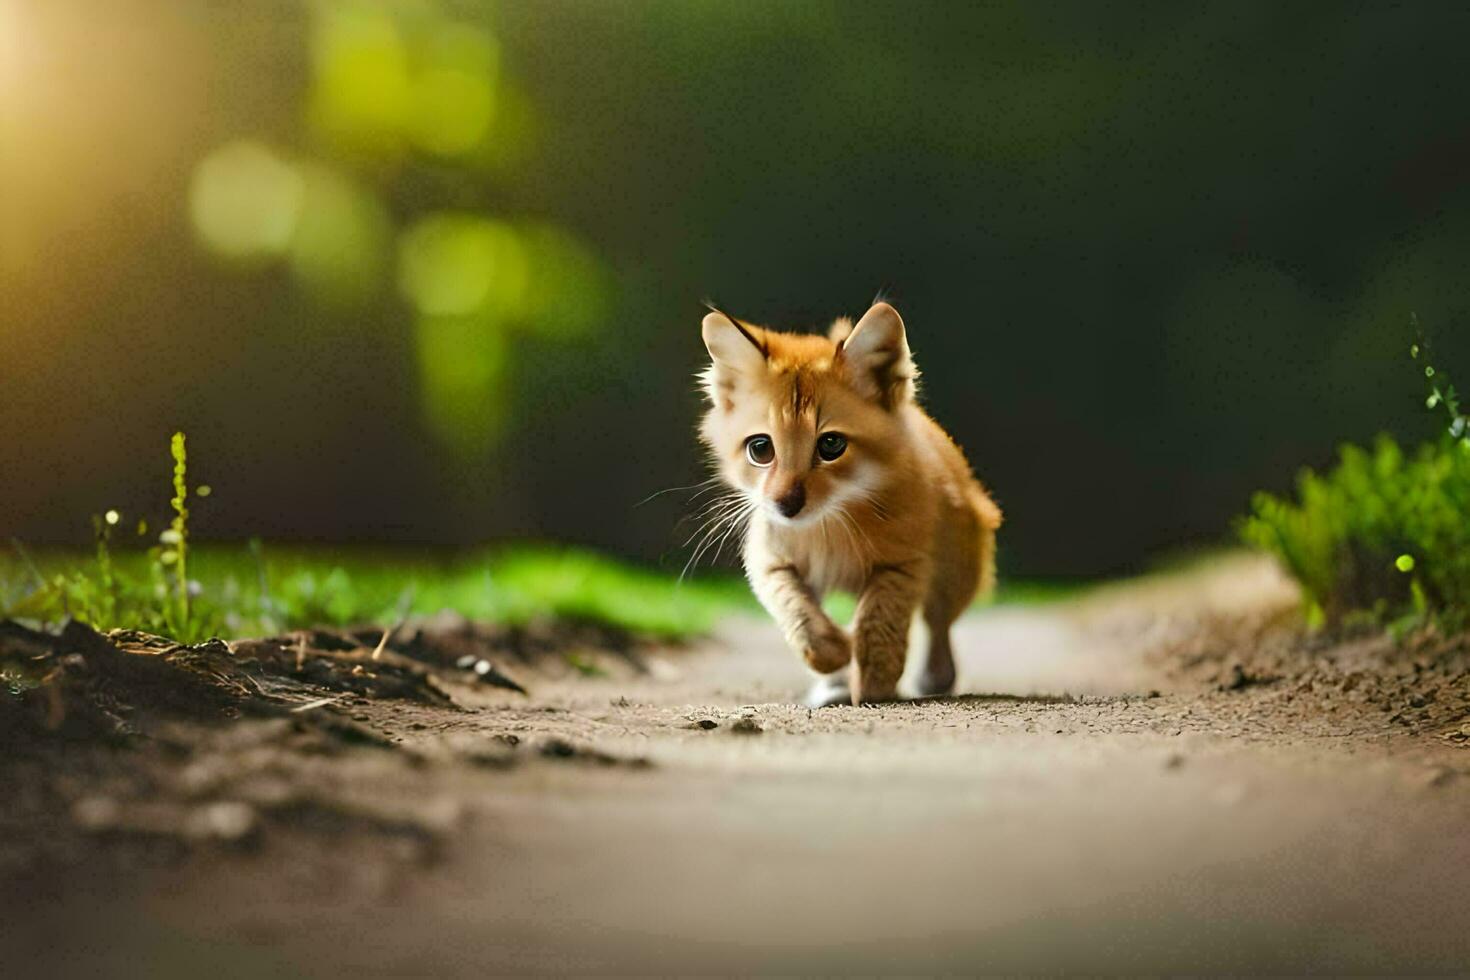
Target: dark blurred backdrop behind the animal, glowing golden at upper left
[(1152, 256)]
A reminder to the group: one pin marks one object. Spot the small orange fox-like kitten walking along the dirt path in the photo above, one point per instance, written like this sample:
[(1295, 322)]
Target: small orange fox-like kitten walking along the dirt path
[(849, 486)]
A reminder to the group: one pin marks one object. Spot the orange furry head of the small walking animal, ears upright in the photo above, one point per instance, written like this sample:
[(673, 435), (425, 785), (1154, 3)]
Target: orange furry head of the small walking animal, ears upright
[(805, 425)]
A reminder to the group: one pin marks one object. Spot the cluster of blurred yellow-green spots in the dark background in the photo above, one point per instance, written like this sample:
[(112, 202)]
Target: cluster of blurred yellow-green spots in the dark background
[(401, 95)]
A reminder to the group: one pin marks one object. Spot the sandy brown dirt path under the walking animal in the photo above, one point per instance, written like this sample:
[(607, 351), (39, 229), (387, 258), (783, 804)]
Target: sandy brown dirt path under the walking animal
[(1119, 790)]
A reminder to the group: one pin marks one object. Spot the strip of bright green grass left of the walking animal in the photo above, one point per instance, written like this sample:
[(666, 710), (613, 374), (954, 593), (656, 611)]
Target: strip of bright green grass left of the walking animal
[(239, 591)]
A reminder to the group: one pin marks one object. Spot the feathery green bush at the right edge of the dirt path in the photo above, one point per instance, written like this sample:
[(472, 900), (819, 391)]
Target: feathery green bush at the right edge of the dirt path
[(1385, 533)]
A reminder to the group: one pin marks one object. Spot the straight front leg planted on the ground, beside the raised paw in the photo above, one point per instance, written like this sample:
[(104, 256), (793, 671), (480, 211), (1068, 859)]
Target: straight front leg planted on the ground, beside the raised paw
[(881, 630)]
